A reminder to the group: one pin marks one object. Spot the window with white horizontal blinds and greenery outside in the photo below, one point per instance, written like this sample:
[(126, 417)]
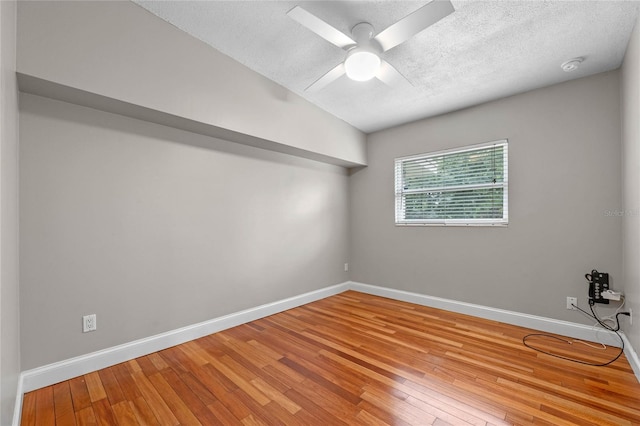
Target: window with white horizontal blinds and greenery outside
[(466, 186)]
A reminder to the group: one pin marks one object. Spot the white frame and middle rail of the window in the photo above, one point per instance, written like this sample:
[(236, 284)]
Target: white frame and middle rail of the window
[(400, 192)]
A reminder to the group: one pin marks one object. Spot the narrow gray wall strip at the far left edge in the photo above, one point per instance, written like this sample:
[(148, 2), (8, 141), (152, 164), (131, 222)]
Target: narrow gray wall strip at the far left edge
[(9, 290)]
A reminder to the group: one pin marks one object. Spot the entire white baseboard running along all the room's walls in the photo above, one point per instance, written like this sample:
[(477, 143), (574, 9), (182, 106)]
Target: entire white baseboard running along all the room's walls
[(70, 368)]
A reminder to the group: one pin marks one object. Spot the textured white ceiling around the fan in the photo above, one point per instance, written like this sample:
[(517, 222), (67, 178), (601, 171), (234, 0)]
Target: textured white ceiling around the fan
[(485, 50)]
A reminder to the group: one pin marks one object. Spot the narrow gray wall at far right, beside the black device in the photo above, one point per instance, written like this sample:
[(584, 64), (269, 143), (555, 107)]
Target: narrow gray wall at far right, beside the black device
[(630, 97)]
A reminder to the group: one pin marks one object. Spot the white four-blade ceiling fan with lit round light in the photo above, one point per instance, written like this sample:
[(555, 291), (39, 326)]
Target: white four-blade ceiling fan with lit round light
[(363, 61)]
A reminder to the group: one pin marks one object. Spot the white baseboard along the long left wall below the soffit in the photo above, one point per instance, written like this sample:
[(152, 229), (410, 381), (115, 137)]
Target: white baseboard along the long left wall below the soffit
[(74, 367)]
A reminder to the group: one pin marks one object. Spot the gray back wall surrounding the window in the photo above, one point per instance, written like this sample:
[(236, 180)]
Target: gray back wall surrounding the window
[(564, 174)]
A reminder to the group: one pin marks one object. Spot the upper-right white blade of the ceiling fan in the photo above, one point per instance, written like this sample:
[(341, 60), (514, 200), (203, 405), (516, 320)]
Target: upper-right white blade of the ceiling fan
[(412, 24)]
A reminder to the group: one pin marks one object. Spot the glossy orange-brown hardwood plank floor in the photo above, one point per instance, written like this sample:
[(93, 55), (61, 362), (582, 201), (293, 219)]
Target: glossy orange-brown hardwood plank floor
[(351, 359)]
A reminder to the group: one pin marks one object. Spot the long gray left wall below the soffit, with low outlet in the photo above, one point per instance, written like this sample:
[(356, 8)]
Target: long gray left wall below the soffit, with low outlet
[(153, 228)]
